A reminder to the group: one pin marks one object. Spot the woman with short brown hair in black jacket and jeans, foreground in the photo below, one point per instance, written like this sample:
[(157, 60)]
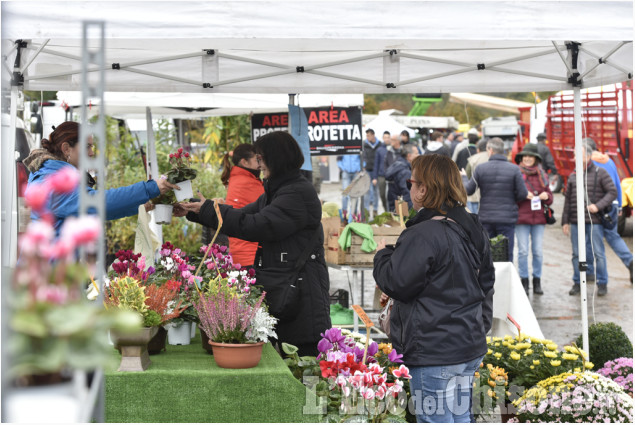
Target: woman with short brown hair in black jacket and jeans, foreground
[(441, 277)]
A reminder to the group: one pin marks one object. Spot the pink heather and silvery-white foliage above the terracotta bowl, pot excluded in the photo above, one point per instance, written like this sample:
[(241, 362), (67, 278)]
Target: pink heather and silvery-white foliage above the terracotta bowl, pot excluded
[(227, 316)]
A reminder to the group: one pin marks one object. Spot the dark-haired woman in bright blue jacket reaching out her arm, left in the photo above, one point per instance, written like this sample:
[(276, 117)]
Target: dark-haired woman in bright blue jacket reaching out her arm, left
[(61, 150)]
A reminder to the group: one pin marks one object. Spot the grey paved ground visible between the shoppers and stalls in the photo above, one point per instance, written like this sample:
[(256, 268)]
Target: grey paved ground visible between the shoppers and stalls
[(559, 314)]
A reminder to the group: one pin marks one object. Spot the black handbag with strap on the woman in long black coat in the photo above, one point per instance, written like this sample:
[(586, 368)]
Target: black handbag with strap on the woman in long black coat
[(282, 285)]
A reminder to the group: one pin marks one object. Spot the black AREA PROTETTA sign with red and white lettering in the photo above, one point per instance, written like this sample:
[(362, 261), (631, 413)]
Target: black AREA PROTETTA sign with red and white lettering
[(332, 130)]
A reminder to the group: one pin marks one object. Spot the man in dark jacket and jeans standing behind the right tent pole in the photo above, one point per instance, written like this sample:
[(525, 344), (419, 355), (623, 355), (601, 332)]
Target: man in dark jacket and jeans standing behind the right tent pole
[(601, 193)]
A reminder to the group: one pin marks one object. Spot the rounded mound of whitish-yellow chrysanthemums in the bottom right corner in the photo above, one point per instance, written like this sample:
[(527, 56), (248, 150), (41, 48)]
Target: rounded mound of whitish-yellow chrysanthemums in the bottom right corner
[(575, 397)]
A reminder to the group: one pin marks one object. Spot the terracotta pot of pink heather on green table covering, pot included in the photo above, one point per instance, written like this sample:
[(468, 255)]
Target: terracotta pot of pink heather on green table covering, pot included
[(237, 330)]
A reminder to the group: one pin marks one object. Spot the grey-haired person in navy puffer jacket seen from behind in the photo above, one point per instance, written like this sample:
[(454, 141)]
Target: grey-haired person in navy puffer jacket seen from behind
[(502, 186)]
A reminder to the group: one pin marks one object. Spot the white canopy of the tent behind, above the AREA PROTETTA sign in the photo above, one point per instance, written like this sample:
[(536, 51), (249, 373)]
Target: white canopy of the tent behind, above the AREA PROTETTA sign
[(195, 105)]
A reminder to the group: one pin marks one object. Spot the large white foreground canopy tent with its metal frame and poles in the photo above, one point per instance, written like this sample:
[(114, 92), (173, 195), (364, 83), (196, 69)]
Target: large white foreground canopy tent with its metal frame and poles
[(321, 47)]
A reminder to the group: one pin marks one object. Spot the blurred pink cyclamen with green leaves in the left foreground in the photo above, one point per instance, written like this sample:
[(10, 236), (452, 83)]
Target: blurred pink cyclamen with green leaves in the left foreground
[(53, 325)]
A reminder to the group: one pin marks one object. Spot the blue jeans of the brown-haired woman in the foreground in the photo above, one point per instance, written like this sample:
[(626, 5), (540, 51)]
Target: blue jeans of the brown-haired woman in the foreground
[(443, 393)]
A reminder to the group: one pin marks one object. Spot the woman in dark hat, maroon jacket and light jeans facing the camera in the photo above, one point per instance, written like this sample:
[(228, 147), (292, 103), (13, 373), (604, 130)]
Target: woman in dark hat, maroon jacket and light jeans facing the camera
[(531, 219)]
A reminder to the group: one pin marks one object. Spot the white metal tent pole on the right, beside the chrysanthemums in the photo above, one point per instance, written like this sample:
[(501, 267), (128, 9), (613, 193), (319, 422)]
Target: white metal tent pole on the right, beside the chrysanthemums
[(580, 182)]
